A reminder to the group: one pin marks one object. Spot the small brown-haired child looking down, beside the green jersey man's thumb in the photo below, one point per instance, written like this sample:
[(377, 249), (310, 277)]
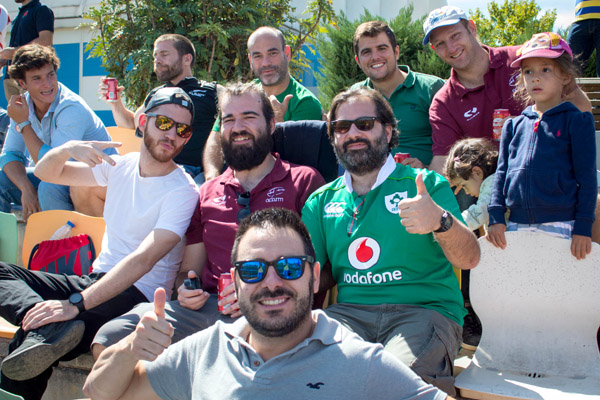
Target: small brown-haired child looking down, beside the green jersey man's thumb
[(470, 165)]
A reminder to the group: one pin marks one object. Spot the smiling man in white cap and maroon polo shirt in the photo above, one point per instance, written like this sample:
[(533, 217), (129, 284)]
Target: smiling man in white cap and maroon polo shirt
[(481, 81)]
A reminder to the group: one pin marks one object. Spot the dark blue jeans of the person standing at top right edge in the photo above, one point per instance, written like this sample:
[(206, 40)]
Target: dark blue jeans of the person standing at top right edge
[(583, 38)]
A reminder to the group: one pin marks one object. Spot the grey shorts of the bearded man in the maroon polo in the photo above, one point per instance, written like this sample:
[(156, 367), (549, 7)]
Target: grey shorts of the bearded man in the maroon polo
[(185, 321)]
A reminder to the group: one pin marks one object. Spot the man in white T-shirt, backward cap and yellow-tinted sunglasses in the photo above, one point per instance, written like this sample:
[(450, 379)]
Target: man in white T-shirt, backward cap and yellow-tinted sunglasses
[(149, 204)]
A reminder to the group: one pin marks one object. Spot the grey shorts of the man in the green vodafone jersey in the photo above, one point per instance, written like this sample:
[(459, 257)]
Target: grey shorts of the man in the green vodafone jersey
[(423, 339)]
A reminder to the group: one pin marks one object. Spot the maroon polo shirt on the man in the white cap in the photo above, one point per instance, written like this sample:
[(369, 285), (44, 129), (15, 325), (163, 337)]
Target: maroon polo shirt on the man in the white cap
[(457, 112)]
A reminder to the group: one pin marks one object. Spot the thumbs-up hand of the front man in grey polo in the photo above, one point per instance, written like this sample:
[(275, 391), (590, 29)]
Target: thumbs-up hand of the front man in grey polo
[(153, 333)]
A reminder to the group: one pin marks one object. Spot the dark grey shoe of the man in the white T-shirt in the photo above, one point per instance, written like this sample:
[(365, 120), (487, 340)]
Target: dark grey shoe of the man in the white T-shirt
[(41, 348)]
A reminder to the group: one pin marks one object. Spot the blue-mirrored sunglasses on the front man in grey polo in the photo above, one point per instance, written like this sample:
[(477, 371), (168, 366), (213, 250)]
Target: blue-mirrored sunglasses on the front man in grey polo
[(288, 268)]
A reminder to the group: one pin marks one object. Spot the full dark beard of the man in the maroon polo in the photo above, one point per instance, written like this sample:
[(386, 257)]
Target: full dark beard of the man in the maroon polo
[(243, 158)]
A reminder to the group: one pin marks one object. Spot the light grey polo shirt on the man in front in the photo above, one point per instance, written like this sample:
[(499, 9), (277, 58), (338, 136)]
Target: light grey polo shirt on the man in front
[(333, 363)]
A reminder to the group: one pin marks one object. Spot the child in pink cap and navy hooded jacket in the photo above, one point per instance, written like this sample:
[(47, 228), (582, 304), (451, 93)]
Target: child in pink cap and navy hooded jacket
[(546, 172)]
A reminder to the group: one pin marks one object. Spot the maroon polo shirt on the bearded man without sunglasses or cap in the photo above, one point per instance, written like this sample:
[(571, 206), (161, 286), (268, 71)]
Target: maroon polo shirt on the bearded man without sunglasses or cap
[(215, 220)]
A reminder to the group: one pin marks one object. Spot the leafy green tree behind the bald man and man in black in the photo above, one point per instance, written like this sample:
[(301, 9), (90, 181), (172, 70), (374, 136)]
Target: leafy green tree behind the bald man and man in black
[(126, 29)]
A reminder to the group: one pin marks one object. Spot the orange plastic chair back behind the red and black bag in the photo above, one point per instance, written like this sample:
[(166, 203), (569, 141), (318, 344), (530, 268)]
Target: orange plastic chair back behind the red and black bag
[(41, 225)]
